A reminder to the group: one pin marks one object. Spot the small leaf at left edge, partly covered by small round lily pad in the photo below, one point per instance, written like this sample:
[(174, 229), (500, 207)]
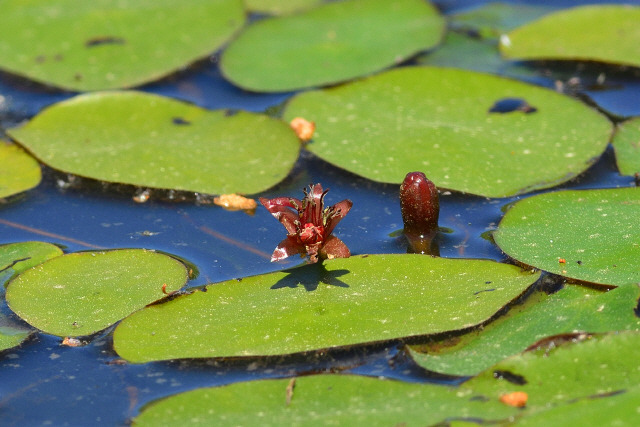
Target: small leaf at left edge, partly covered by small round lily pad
[(18, 257)]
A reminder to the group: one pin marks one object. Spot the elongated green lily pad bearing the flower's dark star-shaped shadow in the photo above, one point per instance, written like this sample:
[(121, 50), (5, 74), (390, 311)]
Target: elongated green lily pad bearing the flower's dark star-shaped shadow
[(340, 303)]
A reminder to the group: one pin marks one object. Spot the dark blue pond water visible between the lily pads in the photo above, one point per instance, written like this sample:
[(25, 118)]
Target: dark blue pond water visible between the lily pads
[(44, 383)]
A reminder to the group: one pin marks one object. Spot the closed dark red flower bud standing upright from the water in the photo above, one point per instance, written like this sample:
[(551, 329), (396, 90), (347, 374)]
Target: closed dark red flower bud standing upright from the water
[(420, 208)]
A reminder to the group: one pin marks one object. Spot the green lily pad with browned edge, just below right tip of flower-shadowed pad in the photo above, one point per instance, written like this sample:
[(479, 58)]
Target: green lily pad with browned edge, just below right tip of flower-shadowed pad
[(572, 309)]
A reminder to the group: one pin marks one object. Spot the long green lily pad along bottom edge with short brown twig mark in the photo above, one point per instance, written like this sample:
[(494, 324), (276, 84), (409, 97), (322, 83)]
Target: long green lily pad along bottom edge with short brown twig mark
[(320, 400)]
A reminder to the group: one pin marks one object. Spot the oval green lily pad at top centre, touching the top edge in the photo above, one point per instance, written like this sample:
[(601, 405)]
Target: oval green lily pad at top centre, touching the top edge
[(330, 44)]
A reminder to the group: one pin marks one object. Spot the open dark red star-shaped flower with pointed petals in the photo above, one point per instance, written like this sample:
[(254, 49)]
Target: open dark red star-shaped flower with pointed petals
[(309, 225)]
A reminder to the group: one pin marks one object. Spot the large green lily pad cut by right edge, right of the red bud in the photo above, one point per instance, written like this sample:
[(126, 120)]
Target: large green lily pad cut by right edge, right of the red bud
[(595, 232)]
